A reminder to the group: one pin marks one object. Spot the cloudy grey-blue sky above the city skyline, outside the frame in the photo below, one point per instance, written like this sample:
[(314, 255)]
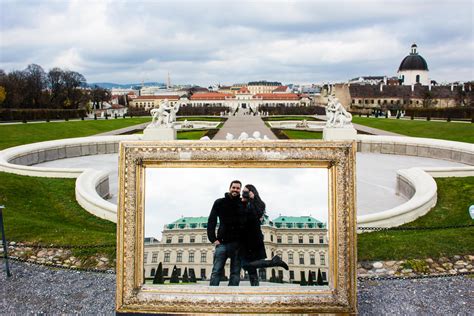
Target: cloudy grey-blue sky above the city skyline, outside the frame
[(209, 42)]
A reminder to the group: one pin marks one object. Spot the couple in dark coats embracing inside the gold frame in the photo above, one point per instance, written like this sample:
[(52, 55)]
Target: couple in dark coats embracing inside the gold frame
[(239, 236)]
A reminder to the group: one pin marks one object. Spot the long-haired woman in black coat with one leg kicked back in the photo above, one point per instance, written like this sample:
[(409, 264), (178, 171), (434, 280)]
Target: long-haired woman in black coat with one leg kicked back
[(252, 248)]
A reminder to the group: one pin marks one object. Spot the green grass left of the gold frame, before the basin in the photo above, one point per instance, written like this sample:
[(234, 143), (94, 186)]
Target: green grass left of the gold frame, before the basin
[(44, 210)]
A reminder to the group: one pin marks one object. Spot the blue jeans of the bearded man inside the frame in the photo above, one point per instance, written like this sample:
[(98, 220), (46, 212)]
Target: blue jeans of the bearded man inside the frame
[(222, 252)]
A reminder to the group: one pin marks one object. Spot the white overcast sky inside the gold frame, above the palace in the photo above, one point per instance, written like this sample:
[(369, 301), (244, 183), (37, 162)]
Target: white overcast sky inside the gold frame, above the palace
[(171, 193)]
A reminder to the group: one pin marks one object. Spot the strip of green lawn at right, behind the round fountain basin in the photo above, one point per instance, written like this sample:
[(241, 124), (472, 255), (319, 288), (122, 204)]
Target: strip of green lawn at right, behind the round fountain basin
[(462, 132)]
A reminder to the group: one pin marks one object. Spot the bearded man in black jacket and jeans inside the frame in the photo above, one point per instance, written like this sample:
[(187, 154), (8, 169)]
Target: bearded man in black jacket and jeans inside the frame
[(229, 210)]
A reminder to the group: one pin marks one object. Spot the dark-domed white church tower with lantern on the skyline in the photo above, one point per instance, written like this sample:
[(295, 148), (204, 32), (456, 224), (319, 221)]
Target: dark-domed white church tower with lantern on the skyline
[(413, 69)]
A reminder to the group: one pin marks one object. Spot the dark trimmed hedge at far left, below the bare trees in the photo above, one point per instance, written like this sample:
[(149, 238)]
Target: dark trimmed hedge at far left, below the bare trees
[(40, 114)]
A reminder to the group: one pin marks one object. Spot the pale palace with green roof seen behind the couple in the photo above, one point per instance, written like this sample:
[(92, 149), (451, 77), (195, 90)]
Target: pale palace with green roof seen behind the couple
[(302, 242)]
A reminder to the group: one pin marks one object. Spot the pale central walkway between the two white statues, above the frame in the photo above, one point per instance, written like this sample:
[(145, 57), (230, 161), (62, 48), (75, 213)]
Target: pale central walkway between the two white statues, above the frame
[(249, 124)]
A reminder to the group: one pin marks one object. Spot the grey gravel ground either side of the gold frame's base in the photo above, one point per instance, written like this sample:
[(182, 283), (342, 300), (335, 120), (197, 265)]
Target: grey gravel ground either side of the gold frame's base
[(37, 289)]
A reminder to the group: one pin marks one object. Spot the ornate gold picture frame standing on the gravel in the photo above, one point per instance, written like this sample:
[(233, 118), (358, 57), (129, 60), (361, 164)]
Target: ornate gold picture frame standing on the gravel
[(132, 295)]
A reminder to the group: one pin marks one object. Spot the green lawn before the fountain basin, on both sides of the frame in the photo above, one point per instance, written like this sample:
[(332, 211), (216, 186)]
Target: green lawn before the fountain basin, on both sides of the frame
[(42, 210)]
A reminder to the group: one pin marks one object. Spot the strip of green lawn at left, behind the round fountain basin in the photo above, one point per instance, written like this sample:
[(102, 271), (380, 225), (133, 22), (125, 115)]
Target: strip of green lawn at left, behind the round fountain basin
[(20, 134)]
